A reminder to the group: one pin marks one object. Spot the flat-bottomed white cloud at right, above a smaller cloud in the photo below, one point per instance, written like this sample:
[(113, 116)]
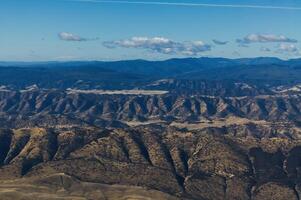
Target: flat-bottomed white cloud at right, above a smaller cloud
[(265, 38)]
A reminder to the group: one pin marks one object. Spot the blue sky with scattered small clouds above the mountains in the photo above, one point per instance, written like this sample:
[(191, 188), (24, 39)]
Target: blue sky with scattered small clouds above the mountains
[(62, 30)]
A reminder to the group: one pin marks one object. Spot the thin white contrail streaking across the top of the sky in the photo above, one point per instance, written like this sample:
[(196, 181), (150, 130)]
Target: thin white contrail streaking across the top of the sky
[(191, 4)]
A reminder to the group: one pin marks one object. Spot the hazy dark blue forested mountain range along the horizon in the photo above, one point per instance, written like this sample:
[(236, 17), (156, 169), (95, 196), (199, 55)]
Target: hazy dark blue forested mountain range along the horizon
[(139, 73)]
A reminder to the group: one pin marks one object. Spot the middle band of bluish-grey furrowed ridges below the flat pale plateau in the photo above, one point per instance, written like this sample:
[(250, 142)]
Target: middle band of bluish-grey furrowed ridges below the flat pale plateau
[(50, 107)]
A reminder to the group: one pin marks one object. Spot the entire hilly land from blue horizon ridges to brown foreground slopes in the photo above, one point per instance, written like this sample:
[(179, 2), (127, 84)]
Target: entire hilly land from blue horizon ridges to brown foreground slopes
[(191, 129)]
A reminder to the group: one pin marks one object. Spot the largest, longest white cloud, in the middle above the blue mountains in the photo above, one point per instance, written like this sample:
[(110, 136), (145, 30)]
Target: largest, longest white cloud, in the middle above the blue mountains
[(161, 45)]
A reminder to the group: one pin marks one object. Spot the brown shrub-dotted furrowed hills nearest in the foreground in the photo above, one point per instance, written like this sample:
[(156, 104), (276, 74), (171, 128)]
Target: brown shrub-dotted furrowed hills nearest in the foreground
[(202, 164)]
